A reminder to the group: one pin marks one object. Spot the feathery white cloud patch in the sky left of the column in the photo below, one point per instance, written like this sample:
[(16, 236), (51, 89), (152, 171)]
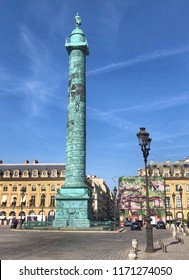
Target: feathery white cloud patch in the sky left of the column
[(39, 84)]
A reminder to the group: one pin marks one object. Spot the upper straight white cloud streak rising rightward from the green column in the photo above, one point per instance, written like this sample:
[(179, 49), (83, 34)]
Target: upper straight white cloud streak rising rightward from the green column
[(139, 59)]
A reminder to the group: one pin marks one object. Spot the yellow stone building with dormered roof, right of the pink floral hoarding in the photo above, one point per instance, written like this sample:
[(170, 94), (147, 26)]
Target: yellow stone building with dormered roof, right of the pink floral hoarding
[(176, 175)]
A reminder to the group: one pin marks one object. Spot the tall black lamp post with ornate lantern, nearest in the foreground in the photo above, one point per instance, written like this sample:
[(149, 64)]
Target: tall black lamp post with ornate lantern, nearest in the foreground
[(144, 142)]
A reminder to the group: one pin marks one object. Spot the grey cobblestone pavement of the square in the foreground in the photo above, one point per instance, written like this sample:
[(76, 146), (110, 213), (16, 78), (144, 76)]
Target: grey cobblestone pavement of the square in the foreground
[(87, 245)]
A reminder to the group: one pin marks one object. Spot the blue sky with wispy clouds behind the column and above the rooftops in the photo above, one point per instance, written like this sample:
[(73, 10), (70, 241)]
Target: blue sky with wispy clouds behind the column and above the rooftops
[(137, 76)]
